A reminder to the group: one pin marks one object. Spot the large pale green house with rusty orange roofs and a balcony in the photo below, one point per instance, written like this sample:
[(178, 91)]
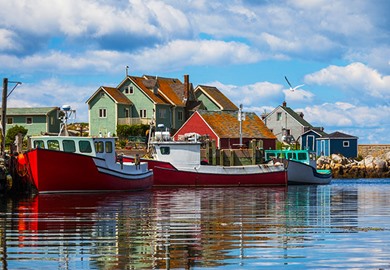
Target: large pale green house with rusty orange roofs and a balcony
[(141, 100)]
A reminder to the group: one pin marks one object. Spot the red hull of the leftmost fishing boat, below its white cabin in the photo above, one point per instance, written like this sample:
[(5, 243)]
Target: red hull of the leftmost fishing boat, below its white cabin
[(54, 171)]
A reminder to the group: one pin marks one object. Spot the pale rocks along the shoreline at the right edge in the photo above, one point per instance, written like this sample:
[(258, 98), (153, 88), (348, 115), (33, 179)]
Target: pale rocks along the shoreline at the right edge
[(368, 167)]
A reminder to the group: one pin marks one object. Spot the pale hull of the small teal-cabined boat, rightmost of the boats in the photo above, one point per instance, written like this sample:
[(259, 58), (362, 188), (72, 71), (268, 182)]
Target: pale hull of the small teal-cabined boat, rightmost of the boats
[(302, 174)]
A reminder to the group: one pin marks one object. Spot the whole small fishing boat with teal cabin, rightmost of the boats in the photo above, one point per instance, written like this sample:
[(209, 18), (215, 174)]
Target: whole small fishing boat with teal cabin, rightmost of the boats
[(301, 166)]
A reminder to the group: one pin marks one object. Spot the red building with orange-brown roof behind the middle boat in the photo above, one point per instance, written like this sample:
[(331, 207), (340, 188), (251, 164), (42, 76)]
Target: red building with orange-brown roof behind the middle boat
[(224, 128)]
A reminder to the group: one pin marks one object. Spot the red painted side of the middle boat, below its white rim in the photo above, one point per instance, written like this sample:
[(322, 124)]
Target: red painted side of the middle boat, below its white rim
[(174, 177)]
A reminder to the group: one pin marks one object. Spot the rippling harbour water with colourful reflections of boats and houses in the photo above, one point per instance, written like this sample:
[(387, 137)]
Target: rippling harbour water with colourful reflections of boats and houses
[(342, 225)]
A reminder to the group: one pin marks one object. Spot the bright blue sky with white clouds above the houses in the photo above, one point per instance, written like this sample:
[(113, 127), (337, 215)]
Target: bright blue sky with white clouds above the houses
[(63, 51)]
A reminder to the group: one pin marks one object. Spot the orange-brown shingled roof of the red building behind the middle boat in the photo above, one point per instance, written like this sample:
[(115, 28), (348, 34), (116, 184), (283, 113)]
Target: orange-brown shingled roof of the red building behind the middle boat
[(226, 125)]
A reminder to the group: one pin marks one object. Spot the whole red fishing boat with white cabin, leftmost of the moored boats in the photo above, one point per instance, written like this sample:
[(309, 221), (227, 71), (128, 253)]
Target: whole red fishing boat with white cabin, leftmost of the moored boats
[(80, 164)]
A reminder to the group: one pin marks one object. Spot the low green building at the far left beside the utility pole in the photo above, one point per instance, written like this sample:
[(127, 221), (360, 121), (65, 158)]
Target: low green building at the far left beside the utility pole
[(36, 120)]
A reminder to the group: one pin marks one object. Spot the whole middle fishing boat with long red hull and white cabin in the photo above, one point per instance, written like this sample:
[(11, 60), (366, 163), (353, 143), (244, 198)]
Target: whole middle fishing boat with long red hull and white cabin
[(177, 163)]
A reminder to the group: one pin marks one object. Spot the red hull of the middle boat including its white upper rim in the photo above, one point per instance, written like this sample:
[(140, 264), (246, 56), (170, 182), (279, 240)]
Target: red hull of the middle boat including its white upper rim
[(218, 176)]
